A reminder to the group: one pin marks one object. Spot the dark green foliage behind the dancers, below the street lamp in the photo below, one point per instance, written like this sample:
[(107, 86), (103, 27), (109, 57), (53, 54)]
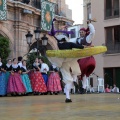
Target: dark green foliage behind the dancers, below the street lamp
[(31, 58)]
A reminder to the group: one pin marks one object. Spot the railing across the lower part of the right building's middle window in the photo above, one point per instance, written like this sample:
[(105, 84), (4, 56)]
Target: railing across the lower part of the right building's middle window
[(113, 48)]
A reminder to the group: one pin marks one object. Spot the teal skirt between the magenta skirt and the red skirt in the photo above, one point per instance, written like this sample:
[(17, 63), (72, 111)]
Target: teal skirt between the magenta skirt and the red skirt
[(26, 82)]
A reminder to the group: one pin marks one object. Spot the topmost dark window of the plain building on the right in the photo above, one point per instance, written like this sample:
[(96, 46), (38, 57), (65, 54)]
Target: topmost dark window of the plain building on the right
[(111, 9)]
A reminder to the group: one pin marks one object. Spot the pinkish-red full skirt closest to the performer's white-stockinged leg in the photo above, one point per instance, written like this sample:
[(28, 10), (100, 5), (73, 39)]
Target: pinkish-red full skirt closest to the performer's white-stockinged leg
[(54, 84)]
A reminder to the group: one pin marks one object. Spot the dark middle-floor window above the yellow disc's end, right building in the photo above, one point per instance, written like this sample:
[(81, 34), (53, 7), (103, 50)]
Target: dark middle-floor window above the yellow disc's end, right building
[(113, 39)]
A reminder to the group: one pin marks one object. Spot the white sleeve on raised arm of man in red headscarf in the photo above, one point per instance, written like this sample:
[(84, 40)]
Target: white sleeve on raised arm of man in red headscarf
[(90, 37)]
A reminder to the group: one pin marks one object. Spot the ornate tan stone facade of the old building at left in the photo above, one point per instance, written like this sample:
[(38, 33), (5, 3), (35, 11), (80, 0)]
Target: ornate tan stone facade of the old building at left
[(18, 24)]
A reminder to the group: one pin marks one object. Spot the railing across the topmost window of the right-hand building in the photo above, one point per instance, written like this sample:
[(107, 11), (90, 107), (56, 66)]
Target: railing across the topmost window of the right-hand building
[(112, 13)]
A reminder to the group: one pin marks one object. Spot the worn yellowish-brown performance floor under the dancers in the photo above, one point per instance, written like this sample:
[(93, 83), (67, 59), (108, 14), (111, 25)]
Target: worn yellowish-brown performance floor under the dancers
[(52, 107)]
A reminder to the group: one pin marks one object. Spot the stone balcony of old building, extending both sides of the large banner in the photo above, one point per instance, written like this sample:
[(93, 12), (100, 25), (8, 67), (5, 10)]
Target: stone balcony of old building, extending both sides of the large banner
[(34, 6)]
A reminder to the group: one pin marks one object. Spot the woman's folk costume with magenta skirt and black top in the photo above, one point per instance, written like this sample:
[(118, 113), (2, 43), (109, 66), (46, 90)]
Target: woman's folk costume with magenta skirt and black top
[(15, 84)]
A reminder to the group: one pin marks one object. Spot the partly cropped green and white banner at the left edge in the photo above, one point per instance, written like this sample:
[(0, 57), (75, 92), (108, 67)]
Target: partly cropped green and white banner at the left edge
[(3, 10)]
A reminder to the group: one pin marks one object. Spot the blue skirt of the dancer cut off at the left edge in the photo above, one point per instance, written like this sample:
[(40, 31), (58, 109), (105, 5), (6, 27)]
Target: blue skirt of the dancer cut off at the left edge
[(3, 84)]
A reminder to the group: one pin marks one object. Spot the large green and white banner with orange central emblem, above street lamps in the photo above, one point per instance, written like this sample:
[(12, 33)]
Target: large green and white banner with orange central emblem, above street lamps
[(47, 15)]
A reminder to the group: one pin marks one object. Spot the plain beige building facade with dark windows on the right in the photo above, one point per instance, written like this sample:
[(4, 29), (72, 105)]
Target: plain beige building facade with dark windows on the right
[(107, 13)]
